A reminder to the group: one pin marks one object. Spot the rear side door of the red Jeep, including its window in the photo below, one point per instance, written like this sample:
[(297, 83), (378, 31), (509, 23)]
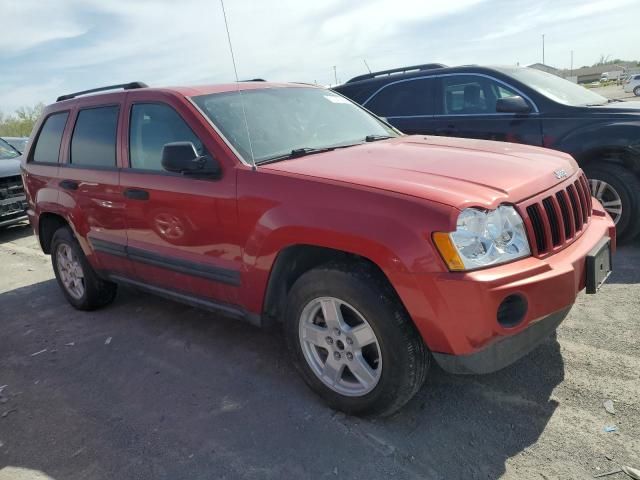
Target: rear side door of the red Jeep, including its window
[(89, 183)]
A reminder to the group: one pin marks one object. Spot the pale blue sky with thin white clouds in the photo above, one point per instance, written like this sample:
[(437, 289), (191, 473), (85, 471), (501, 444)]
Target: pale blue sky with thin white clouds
[(52, 47)]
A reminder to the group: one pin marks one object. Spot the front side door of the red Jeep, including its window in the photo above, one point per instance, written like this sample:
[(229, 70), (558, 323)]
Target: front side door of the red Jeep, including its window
[(180, 228)]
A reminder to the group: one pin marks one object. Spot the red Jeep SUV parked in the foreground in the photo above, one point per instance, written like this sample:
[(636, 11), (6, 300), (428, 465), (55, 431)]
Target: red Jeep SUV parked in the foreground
[(286, 202)]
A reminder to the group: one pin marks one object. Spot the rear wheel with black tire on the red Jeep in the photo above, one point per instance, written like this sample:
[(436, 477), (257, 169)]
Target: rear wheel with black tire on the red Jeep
[(68, 259)]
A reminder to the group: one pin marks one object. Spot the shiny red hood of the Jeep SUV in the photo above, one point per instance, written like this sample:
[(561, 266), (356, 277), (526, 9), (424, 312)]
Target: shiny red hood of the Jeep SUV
[(453, 171)]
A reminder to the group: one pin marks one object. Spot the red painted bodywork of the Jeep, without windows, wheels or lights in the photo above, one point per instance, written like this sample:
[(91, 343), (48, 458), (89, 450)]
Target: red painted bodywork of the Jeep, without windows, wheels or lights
[(381, 201)]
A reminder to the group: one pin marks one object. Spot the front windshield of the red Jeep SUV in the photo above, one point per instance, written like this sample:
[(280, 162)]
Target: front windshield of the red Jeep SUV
[(281, 120)]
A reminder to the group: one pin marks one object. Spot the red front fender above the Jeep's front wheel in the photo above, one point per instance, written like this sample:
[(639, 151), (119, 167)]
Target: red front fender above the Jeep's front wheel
[(390, 230)]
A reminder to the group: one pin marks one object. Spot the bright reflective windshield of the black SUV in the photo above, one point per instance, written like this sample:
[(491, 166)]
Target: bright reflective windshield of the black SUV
[(556, 88)]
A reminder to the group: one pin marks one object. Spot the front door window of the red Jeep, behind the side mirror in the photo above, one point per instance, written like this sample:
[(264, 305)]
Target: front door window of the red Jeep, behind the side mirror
[(152, 125)]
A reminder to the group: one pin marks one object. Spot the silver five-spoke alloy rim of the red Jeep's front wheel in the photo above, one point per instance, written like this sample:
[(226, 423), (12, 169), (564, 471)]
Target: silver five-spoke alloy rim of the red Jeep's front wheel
[(340, 346)]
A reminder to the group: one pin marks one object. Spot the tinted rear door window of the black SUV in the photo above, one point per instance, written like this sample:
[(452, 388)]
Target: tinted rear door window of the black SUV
[(407, 98)]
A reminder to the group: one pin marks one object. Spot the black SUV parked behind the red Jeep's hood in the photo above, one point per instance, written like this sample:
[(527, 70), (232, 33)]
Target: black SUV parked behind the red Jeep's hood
[(520, 105)]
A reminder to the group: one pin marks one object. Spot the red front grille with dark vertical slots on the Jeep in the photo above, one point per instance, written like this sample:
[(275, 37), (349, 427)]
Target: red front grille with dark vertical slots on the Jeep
[(561, 215)]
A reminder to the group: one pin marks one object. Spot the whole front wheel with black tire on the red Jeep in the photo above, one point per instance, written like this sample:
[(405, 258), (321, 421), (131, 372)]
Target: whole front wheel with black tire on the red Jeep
[(399, 359)]
